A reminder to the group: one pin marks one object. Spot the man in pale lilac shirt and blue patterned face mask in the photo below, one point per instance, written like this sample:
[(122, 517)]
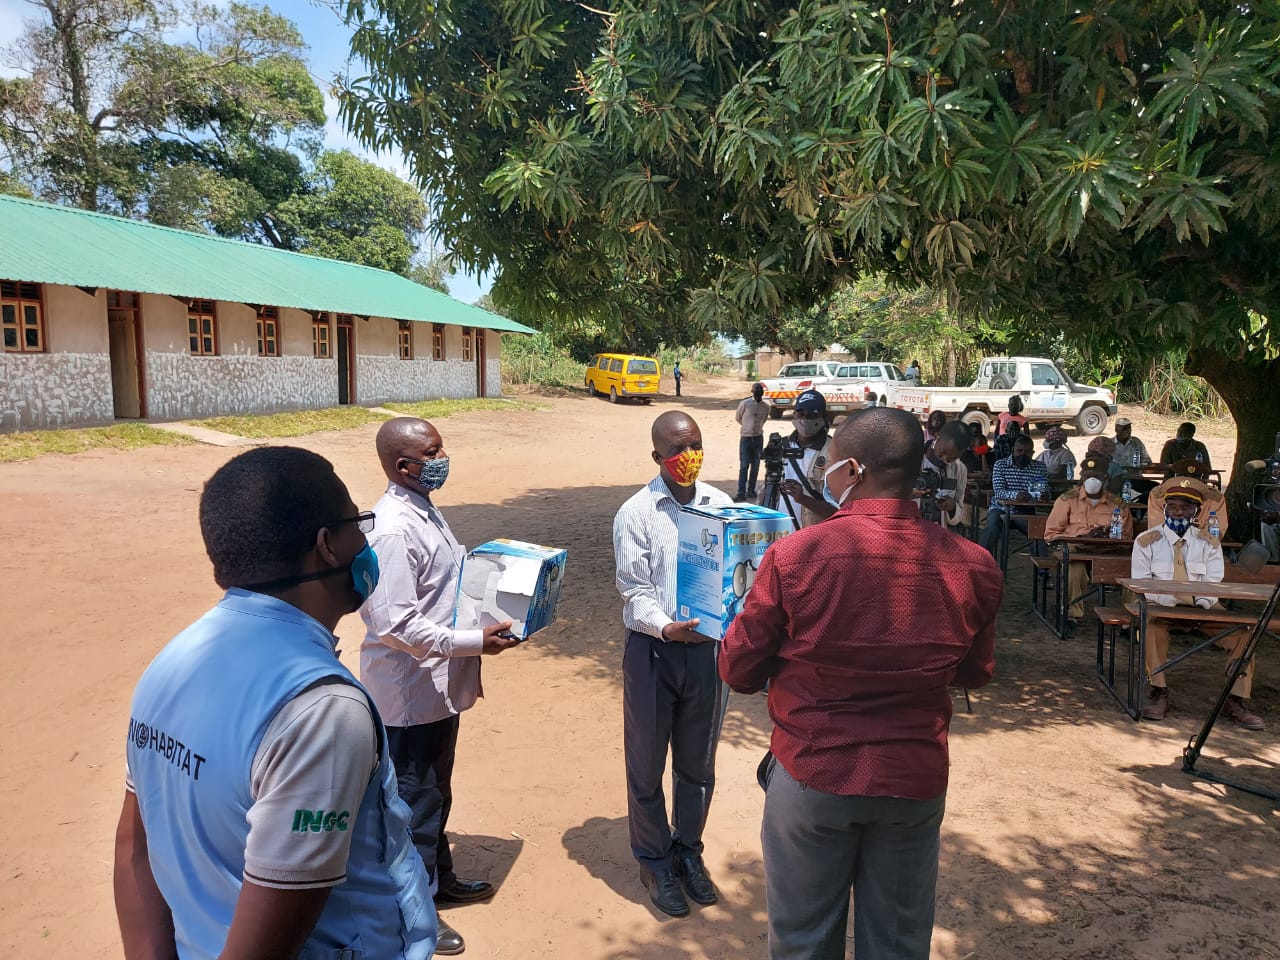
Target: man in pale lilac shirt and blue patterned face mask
[(419, 669)]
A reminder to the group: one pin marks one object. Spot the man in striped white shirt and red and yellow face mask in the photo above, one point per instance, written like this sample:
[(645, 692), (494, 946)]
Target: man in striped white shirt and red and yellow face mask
[(673, 696)]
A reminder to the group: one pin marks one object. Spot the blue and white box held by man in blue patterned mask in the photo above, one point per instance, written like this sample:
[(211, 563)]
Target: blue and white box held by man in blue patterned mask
[(510, 580)]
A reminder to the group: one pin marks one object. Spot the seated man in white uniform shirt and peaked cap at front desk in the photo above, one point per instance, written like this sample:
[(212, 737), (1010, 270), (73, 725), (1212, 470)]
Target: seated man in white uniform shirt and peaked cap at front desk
[(1181, 551)]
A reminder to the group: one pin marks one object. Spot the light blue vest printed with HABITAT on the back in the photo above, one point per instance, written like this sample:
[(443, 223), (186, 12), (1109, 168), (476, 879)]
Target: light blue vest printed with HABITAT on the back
[(199, 716)]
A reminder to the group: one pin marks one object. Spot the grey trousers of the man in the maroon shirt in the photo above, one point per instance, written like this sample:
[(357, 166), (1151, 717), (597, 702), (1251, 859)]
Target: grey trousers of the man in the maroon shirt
[(820, 845)]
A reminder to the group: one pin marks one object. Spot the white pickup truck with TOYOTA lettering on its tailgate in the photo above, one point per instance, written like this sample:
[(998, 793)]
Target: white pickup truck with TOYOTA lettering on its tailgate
[(1050, 396)]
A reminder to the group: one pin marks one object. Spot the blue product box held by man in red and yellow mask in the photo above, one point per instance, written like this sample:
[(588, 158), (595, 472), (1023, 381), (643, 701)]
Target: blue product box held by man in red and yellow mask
[(720, 552)]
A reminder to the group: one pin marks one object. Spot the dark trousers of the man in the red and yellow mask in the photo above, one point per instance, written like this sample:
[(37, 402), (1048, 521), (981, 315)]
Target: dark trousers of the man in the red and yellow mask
[(671, 694)]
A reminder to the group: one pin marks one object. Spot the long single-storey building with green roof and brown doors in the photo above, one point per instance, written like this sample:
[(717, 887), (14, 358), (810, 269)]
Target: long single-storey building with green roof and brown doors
[(106, 319)]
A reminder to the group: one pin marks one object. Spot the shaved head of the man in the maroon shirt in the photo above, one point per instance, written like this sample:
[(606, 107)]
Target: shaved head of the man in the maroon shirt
[(889, 445)]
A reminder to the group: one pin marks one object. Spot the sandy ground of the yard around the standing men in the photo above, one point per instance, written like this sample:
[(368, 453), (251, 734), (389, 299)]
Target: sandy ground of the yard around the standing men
[(1071, 830)]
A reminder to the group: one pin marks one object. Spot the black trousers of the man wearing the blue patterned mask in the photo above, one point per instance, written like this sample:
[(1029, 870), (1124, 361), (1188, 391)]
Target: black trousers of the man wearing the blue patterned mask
[(424, 769)]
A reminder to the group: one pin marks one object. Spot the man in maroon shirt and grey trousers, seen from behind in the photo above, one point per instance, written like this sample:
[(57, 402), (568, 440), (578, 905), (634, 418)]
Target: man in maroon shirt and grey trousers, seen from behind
[(861, 624)]
